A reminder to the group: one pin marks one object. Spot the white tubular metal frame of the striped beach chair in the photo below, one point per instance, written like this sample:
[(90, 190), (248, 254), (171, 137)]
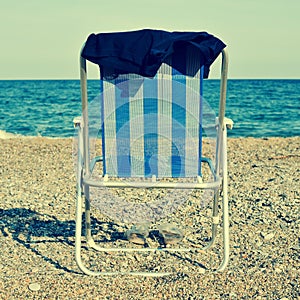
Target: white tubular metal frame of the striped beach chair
[(85, 181)]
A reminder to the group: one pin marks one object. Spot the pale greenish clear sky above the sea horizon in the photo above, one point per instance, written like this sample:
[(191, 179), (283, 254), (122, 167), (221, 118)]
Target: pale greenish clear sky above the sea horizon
[(42, 39)]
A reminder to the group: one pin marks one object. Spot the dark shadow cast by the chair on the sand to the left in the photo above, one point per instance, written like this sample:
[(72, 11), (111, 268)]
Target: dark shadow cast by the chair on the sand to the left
[(30, 228)]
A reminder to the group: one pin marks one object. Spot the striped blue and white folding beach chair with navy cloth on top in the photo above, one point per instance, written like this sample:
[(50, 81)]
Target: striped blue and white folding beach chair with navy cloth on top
[(151, 115)]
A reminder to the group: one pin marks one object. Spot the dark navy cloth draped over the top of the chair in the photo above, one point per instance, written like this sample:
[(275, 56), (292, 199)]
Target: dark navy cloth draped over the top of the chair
[(143, 51)]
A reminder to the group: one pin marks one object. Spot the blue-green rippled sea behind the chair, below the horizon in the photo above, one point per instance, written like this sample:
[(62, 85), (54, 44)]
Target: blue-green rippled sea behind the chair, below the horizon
[(259, 108)]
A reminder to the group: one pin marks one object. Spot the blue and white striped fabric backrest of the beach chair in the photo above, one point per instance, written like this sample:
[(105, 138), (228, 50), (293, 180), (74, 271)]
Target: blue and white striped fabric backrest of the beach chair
[(152, 126)]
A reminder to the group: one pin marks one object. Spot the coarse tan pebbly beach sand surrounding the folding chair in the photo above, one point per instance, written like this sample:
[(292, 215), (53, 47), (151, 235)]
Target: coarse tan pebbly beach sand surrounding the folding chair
[(37, 228)]
